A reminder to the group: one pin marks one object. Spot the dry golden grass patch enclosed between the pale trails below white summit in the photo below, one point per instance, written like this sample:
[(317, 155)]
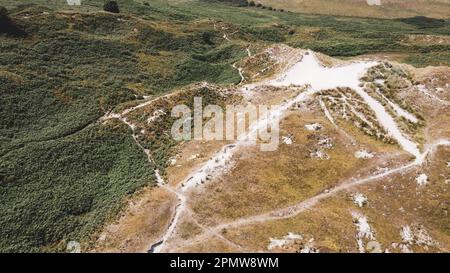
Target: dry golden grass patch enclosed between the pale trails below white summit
[(260, 181)]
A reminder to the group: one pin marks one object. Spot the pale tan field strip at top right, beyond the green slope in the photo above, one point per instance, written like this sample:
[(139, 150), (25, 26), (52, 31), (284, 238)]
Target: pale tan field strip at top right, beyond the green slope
[(361, 8)]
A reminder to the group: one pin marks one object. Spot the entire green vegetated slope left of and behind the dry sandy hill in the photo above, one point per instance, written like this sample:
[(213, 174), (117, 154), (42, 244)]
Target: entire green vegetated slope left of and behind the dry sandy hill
[(63, 173)]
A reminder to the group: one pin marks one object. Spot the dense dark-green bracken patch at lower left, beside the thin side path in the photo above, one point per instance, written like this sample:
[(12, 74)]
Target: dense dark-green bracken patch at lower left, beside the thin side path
[(65, 188)]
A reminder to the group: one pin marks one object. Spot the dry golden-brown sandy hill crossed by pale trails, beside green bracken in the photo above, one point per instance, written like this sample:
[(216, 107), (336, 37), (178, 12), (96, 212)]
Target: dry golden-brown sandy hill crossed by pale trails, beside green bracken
[(363, 165)]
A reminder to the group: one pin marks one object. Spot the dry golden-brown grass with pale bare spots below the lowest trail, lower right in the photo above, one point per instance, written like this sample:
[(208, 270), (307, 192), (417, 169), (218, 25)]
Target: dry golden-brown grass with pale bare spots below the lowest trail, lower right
[(393, 203)]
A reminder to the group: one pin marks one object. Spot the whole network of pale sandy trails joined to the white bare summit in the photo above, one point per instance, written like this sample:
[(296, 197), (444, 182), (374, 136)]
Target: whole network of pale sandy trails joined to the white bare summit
[(307, 72)]
